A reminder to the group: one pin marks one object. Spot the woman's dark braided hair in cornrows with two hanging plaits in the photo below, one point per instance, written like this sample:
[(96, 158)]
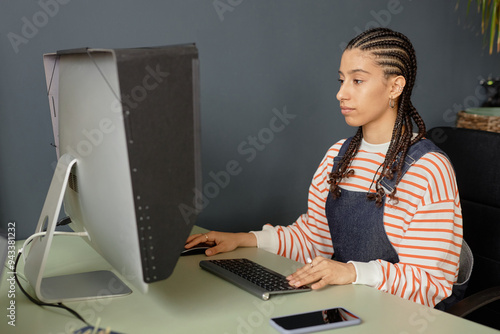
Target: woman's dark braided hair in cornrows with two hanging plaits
[(394, 52)]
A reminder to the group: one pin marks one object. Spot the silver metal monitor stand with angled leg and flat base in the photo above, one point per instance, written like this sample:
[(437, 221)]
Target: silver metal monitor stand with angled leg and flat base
[(74, 287)]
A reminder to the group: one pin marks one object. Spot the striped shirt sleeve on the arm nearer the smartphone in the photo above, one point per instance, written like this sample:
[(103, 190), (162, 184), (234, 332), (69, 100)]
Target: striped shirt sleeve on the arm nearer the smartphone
[(428, 239)]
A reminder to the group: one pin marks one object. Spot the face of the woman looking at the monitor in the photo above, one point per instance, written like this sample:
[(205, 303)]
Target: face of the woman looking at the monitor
[(364, 96)]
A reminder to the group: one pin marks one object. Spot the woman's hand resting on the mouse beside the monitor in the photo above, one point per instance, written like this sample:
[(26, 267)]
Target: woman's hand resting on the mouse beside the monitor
[(221, 241)]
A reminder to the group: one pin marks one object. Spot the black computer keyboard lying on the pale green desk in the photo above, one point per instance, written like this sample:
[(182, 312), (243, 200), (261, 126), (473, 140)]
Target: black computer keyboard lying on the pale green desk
[(251, 276)]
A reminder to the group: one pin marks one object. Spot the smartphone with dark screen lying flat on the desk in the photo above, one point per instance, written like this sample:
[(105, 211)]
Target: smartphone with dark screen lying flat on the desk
[(315, 321)]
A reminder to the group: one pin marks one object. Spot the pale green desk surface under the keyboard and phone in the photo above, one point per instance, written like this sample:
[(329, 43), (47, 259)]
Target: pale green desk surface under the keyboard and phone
[(195, 301)]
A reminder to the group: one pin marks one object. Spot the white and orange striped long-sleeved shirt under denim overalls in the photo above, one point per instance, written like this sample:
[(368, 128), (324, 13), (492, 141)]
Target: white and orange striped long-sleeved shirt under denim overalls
[(424, 226)]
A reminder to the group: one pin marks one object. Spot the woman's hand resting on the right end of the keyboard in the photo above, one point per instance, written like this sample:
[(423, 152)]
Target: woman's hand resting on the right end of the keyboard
[(322, 271)]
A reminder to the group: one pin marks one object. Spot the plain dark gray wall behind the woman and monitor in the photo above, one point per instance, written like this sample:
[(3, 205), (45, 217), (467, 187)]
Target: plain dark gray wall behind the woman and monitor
[(257, 58)]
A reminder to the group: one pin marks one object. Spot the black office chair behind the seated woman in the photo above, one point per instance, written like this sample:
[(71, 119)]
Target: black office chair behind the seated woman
[(475, 156)]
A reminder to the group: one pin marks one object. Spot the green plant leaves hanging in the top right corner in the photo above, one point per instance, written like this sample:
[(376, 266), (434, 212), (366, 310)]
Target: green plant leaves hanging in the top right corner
[(490, 16)]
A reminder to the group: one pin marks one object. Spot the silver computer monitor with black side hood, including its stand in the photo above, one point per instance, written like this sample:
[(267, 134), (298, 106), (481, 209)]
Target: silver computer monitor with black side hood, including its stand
[(127, 132)]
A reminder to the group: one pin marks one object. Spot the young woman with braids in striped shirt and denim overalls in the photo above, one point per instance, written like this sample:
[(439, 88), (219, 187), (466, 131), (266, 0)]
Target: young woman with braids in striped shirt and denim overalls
[(383, 207)]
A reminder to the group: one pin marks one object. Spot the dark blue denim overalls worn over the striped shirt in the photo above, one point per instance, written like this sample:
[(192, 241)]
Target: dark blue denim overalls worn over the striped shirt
[(357, 224)]
